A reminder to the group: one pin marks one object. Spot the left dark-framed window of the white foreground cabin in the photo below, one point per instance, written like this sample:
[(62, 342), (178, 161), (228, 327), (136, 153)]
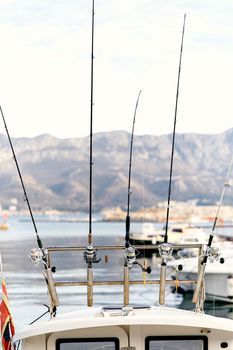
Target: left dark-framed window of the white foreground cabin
[(87, 344)]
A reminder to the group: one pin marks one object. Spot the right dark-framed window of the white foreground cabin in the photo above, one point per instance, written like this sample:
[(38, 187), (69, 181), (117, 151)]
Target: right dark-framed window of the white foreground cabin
[(176, 343)]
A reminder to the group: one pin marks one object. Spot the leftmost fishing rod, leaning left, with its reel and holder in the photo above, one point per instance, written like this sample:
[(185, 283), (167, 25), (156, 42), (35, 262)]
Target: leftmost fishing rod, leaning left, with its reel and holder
[(36, 255)]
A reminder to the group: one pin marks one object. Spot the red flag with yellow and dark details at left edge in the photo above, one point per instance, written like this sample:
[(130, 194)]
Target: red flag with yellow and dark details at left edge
[(7, 326)]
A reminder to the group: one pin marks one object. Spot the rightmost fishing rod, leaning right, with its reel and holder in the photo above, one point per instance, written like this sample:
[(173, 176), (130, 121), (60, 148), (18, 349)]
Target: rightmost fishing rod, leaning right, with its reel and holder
[(208, 253)]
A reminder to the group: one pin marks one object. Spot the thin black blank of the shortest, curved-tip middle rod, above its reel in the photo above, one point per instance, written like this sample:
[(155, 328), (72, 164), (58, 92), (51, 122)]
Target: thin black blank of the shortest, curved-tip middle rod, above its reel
[(127, 221)]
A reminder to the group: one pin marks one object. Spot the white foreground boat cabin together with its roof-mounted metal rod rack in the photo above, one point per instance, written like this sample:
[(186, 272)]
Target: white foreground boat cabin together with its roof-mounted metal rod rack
[(123, 326)]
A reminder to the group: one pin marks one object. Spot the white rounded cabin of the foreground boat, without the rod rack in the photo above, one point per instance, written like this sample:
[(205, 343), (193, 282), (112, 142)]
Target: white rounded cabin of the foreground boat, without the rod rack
[(130, 328)]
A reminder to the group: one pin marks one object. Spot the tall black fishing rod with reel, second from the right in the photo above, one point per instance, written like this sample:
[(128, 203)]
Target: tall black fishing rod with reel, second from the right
[(165, 248)]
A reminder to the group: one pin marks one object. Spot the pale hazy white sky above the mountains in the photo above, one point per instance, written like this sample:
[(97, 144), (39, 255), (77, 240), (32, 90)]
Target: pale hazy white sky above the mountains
[(45, 65)]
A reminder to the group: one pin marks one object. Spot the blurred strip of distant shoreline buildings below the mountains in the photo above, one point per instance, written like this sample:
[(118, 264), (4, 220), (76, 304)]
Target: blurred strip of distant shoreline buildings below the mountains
[(179, 212)]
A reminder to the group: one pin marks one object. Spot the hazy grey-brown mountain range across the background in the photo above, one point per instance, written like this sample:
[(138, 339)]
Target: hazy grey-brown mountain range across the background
[(56, 171)]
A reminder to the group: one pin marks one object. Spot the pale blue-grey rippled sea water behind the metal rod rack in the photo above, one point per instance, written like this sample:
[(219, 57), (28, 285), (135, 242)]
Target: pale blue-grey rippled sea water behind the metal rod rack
[(26, 286)]
